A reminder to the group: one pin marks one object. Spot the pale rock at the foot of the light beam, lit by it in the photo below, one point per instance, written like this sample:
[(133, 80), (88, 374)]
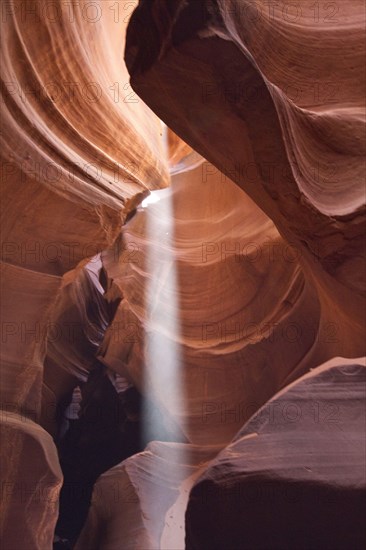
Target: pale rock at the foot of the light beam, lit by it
[(134, 509)]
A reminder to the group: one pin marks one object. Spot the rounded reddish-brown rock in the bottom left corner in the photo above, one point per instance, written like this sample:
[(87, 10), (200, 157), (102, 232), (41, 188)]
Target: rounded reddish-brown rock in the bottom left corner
[(30, 483)]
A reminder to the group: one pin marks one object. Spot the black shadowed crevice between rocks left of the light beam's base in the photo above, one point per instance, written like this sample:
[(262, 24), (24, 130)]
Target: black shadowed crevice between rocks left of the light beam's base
[(107, 431)]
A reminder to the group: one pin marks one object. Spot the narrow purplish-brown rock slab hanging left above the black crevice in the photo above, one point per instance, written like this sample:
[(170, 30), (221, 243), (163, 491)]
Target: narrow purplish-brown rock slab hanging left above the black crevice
[(78, 320)]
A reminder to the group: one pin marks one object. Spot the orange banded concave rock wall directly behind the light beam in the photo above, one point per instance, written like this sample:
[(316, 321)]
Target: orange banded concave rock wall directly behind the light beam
[(236, 348)]
